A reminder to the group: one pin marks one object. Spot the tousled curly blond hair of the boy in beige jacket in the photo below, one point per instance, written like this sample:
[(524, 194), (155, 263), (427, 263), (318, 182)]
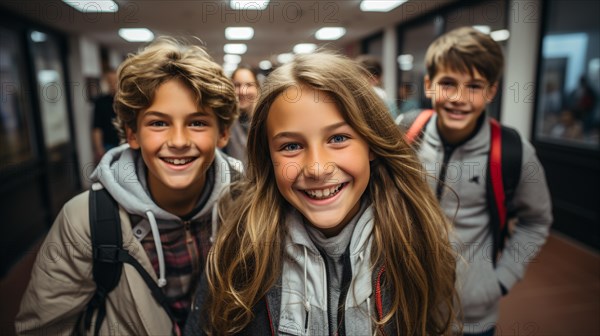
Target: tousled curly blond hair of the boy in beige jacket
[(167, 58)]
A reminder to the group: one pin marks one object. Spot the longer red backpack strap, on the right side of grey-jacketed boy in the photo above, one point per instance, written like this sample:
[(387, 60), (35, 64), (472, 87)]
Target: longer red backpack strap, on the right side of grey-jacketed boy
[(495, 170)]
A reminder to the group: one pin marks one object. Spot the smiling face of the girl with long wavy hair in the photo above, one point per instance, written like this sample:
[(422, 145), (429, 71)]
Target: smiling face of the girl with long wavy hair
[(321, 164)]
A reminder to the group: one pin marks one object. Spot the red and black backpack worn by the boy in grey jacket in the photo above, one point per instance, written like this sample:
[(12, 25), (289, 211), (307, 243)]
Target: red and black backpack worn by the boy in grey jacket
[(503, 170)]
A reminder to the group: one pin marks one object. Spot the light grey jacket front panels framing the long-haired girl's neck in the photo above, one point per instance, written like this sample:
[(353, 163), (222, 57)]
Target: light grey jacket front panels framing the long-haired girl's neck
[(304, 283)]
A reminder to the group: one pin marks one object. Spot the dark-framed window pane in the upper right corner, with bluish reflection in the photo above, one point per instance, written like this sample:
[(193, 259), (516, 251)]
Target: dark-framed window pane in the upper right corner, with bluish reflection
[(568, 95)]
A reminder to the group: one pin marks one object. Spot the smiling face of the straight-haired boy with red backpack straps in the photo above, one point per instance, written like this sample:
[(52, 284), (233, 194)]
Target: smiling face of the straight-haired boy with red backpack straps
[(459, 100)]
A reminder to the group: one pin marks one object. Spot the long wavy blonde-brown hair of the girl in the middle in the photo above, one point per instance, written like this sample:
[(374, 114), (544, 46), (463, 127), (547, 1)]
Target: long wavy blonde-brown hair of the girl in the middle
[(410, 230)]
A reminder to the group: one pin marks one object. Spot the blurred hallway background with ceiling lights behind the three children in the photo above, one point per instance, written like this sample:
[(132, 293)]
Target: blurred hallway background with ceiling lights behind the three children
[(53, 55)]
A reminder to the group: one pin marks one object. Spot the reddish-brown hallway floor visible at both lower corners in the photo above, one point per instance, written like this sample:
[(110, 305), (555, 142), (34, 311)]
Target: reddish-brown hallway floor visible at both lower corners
[(560, 294)]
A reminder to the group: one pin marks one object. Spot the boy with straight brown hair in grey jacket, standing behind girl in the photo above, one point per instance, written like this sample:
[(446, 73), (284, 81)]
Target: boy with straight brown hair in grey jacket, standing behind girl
[(463, 70)]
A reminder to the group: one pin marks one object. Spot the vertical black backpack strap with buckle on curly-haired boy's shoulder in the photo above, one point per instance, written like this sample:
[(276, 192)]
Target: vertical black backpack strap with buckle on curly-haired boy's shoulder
[(107, 241)]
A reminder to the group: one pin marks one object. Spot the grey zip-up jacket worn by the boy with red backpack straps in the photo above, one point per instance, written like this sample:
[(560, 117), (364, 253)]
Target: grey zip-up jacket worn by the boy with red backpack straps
[(463, 198)]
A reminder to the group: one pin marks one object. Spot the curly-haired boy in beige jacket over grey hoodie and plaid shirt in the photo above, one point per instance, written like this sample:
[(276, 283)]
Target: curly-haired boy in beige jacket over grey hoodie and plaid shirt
[(174, 108)]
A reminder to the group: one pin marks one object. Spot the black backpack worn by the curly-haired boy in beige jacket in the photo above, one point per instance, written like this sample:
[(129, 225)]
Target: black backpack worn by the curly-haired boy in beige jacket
[(109, 255)]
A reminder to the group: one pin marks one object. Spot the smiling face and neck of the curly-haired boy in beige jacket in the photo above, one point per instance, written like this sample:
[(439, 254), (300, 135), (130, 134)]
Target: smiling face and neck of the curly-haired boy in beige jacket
[(177, 140)]
